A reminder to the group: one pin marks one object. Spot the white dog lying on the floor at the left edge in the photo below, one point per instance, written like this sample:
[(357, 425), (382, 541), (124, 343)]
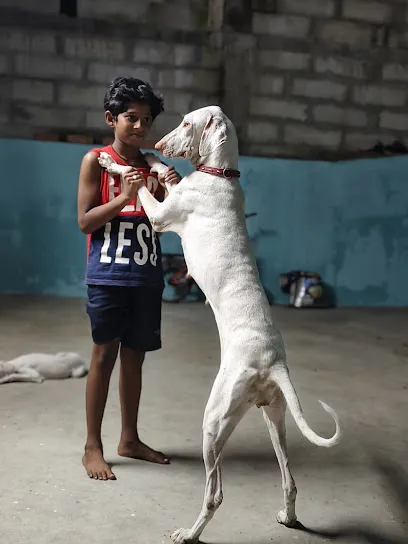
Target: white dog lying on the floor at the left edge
[(37, 367)]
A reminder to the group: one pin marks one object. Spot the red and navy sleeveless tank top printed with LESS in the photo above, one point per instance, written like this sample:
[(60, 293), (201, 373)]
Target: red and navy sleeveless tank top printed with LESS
[(126, 251)]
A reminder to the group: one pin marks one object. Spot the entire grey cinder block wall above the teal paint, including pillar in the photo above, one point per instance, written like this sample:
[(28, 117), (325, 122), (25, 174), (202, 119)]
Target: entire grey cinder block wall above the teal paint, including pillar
[(303, 78)]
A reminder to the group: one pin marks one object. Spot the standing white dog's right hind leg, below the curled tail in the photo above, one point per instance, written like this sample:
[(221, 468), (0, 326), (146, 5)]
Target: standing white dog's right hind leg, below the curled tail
[(274, 416)]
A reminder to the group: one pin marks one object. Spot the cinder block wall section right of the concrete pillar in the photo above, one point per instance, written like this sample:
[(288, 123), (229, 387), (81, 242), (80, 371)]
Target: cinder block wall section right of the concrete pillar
[(328, 75)]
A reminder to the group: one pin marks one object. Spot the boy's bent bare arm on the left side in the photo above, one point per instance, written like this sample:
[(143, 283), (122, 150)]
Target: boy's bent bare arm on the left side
[(91, 214)]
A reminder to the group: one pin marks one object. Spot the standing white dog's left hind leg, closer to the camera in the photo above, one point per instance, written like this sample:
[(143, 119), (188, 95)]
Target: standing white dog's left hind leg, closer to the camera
[(225, 408)]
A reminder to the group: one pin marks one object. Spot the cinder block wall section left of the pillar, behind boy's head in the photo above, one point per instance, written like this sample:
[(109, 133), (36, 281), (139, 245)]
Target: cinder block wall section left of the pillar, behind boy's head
[(55, 69)]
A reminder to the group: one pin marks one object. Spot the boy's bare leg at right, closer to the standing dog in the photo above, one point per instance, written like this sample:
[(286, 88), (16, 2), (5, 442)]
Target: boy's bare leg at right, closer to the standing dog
[(130, 386)]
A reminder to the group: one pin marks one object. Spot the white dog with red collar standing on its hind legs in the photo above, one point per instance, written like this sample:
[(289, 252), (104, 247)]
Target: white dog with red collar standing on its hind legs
[(207, 210)]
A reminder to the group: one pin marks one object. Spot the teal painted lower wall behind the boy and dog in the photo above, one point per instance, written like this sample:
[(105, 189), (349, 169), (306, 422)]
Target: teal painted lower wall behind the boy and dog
[(347, 221)]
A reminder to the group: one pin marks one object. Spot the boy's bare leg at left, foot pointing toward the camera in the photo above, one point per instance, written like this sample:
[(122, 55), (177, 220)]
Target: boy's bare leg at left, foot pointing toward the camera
[(97, 386)]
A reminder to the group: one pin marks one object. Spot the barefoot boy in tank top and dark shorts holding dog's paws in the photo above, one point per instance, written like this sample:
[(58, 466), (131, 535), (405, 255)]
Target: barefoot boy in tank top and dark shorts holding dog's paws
[(124, 274)]
